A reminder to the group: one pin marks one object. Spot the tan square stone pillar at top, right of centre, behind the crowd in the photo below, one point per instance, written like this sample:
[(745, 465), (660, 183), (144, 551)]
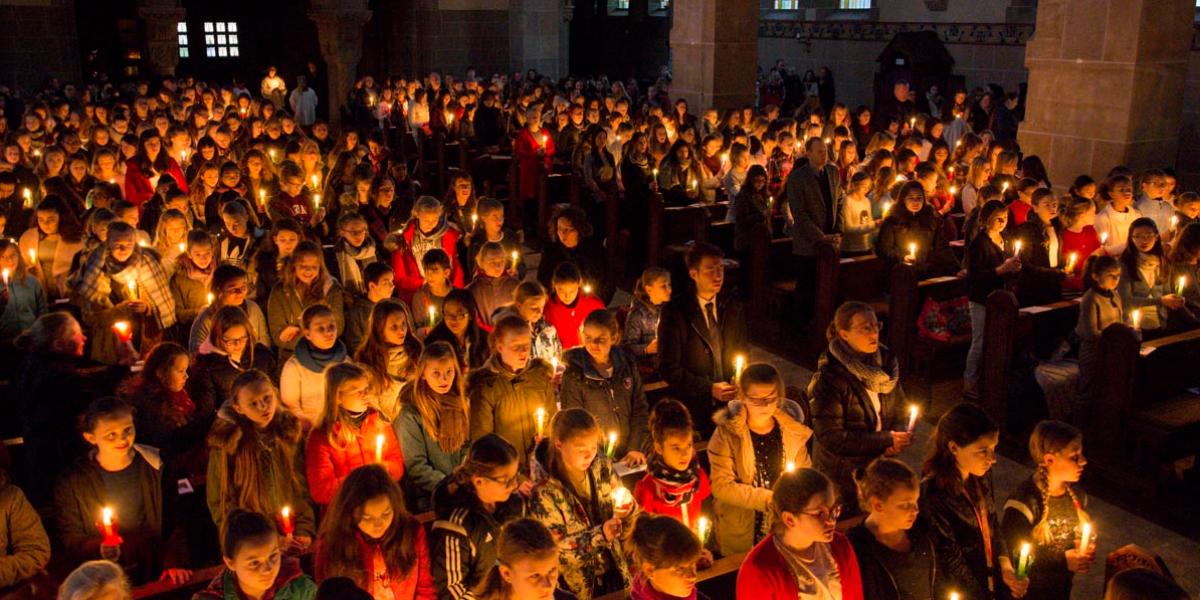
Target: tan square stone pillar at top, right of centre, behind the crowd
[(715, 51)]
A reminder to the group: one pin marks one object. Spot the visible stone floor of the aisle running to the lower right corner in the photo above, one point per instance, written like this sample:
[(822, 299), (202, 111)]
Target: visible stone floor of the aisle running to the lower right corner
[(1115, 526)]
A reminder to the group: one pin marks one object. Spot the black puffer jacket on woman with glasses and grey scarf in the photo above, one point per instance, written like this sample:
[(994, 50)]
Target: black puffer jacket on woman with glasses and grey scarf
[(844, 422)]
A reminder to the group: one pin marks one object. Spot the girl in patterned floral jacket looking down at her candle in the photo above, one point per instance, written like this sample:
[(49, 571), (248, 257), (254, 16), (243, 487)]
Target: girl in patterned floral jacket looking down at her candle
[(581, 502)]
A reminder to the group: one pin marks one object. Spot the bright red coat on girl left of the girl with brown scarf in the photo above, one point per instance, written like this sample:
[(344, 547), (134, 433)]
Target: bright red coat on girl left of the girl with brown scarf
[(328, 467)]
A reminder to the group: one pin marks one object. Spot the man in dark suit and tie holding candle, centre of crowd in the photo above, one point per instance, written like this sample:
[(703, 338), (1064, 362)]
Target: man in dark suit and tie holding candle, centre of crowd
[(701, 332)]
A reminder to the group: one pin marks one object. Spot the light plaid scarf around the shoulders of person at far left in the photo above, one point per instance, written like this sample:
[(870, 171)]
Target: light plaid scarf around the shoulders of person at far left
[(105, 283)]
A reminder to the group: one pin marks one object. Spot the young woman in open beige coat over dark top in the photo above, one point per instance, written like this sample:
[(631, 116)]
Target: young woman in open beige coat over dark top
[(758, 436)]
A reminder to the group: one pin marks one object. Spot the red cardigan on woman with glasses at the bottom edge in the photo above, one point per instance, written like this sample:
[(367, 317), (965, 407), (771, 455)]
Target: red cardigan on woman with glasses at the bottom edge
[(765, 573)]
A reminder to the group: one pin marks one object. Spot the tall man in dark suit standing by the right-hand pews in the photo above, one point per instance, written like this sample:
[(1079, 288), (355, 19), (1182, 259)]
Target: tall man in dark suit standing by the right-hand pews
[(814, 203)]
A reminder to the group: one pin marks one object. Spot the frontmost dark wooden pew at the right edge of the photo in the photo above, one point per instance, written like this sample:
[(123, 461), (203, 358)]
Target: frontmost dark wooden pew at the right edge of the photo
[(1148, 413)]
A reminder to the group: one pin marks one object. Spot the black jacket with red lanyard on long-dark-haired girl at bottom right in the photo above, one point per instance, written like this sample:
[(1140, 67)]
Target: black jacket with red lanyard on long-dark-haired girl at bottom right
[(959, 543)]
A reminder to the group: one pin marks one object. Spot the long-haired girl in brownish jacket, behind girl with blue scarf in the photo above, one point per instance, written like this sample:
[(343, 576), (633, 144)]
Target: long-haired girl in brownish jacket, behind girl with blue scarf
[(305, 283)]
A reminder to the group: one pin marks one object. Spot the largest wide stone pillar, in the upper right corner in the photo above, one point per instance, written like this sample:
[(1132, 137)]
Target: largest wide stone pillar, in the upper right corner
[(1111, 98)]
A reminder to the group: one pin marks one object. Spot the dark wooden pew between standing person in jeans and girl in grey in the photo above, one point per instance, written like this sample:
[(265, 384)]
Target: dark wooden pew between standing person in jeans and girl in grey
[(1010, 332)]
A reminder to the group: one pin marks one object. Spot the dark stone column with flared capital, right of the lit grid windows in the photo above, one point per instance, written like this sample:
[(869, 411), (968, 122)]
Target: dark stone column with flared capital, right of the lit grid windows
[(340, 34)]
